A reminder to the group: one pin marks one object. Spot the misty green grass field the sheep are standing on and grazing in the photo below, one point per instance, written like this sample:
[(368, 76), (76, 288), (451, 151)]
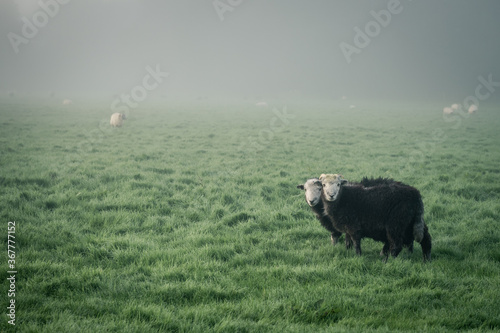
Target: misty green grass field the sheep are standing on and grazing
[(188, 218)]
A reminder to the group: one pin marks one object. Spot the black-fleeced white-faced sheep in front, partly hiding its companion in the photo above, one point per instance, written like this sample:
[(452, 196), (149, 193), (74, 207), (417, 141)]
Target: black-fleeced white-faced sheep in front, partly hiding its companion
[(389, 213)]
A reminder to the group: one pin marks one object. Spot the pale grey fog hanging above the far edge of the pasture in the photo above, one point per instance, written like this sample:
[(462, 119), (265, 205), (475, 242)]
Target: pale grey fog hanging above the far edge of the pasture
[(422, 50)]
